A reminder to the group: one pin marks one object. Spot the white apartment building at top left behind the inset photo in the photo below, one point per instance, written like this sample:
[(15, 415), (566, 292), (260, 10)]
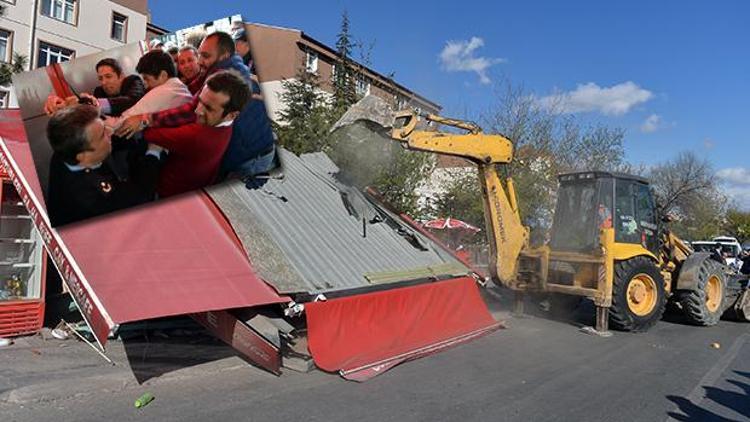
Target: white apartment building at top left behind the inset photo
[(52, 31)]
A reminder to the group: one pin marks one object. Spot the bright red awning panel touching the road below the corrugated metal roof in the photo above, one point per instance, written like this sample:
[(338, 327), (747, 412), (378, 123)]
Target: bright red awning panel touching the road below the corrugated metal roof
[(364, 335)]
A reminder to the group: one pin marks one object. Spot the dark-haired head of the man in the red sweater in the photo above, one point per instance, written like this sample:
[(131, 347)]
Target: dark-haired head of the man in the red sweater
[(224, 95)]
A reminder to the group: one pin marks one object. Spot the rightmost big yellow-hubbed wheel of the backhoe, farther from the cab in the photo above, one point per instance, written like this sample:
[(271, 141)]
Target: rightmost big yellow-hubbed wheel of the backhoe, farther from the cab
[(705, 305)]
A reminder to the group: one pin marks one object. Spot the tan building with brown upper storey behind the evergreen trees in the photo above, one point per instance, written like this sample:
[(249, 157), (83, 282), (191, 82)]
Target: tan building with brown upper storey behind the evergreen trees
[(280, 52)]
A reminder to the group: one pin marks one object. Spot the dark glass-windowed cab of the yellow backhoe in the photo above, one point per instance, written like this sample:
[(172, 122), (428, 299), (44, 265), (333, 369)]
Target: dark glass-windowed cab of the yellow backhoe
[(590, 201)]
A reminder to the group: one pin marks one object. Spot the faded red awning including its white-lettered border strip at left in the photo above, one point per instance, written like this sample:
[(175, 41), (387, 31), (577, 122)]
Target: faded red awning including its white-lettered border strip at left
[(170, 257)]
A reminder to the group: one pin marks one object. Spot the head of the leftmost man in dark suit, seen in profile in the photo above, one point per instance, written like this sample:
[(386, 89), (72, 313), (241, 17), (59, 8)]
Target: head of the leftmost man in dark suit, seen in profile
[(78, 136)]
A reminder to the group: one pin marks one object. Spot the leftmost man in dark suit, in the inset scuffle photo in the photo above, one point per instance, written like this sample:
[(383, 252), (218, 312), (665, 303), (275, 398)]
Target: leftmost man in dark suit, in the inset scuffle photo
[(82, 181)]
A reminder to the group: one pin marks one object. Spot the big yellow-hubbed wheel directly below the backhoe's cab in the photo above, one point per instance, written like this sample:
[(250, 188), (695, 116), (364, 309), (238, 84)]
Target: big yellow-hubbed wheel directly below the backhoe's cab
[(638, 296)]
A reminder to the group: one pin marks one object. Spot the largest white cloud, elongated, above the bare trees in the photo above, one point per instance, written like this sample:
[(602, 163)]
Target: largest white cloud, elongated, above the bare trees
[(614, 101)]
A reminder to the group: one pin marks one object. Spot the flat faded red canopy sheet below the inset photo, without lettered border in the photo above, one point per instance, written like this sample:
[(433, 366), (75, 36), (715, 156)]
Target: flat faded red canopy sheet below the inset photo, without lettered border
[(171, 257)]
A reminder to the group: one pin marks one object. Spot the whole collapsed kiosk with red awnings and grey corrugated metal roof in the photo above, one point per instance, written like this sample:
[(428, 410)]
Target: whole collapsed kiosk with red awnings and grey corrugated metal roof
[(373, 289)]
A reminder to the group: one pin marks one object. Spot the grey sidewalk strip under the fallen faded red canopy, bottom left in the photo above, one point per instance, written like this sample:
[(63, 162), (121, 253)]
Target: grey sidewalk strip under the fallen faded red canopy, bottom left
[(42, 369)]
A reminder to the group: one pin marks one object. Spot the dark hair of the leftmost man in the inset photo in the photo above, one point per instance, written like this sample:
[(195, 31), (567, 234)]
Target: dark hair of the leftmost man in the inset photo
[(66, 131)]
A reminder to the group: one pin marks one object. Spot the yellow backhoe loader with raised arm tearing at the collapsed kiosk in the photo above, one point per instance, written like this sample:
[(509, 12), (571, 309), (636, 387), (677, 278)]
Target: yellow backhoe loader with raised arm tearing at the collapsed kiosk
[(607, 242)]
